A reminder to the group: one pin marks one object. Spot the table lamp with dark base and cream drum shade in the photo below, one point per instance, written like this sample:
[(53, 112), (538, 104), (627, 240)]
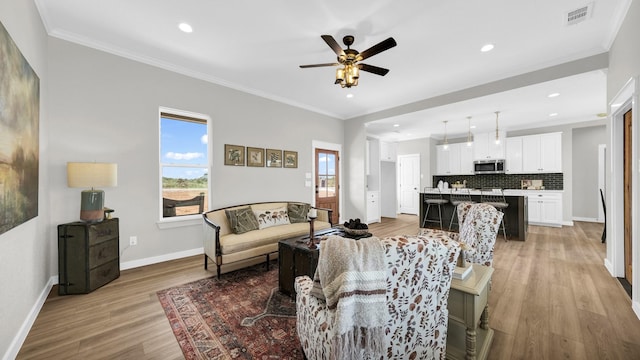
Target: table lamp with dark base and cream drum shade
[(92, 175)]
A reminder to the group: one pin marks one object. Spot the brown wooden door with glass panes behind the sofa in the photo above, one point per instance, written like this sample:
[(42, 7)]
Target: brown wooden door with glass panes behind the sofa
[(328, 182)]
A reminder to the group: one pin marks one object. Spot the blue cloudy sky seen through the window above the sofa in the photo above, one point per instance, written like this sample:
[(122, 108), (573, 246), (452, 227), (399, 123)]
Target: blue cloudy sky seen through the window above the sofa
[(183, 143)]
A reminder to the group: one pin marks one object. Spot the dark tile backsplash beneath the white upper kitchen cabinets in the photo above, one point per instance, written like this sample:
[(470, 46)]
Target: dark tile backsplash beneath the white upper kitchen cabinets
[(553, 181)]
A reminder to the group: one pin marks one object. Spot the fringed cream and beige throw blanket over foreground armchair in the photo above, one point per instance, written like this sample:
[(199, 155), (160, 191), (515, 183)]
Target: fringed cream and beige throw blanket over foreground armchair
[(351, 277)]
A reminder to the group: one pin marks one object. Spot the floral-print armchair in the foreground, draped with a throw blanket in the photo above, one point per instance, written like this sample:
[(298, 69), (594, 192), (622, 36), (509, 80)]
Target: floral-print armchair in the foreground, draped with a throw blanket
[(419, 272)]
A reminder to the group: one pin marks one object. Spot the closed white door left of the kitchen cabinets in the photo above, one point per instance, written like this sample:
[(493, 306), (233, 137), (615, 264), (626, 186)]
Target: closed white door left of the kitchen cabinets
[(409, 183)]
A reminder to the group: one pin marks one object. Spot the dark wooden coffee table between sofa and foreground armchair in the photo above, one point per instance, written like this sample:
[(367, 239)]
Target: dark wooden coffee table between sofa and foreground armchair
[(295, 258)]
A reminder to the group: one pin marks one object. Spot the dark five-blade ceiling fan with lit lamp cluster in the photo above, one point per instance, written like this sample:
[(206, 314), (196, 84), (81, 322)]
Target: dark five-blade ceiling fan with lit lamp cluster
[(347, 75)]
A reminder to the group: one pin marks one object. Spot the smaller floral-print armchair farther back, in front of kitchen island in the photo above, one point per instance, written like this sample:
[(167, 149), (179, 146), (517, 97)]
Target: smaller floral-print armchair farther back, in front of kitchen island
[(479, 228)]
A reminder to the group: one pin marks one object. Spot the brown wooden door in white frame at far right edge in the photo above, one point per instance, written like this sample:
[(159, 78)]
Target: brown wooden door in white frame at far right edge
[(627, 196)]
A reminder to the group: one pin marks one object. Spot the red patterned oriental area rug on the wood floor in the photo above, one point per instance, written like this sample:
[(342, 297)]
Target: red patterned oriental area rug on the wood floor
[(240, 316)]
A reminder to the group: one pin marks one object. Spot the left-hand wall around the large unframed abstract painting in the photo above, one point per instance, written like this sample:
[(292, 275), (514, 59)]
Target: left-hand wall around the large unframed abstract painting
[(24, 250)]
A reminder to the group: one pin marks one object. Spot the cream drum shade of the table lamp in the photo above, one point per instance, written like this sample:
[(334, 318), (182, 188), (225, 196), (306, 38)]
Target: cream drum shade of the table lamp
[(91, 175)]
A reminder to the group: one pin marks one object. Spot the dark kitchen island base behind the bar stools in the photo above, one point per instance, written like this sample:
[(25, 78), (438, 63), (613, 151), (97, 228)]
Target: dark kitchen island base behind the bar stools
[(515, 218)]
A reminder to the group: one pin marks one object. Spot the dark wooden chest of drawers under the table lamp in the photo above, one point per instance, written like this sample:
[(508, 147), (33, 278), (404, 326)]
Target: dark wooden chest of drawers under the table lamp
[(88, 255)]
